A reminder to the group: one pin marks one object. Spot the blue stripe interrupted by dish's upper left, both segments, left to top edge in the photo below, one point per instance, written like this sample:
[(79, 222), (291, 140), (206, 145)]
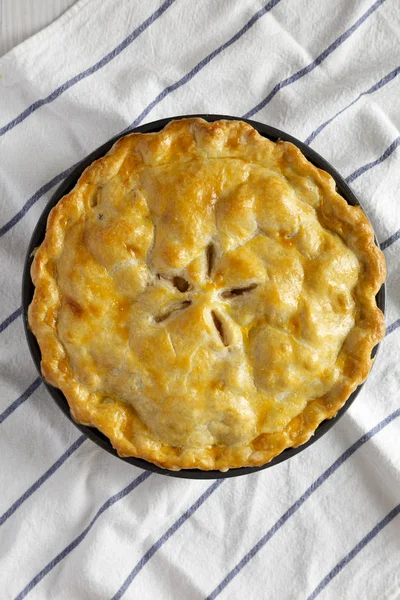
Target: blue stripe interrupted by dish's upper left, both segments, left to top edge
[(182, 81)]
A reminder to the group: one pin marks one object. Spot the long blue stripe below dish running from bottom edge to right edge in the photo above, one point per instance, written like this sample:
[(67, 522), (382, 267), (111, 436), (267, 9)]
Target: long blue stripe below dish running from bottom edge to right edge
[(295, 507)]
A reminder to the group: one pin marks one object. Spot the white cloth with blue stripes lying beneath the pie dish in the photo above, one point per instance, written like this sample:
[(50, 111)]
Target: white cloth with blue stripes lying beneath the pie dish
[(76, 522)]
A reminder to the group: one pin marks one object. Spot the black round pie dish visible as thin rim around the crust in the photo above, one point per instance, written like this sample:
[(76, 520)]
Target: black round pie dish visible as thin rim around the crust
[(28, 289)]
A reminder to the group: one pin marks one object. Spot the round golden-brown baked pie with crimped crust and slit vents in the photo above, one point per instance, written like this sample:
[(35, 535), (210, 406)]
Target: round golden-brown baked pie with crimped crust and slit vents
[(205, 297)]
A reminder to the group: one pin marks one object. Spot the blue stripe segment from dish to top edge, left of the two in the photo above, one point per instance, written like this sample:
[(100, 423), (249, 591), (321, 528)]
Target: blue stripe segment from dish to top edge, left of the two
[(200, 65)]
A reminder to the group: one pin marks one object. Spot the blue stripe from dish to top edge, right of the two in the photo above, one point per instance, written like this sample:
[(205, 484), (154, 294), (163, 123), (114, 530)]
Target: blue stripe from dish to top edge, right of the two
[(338, 42)]
